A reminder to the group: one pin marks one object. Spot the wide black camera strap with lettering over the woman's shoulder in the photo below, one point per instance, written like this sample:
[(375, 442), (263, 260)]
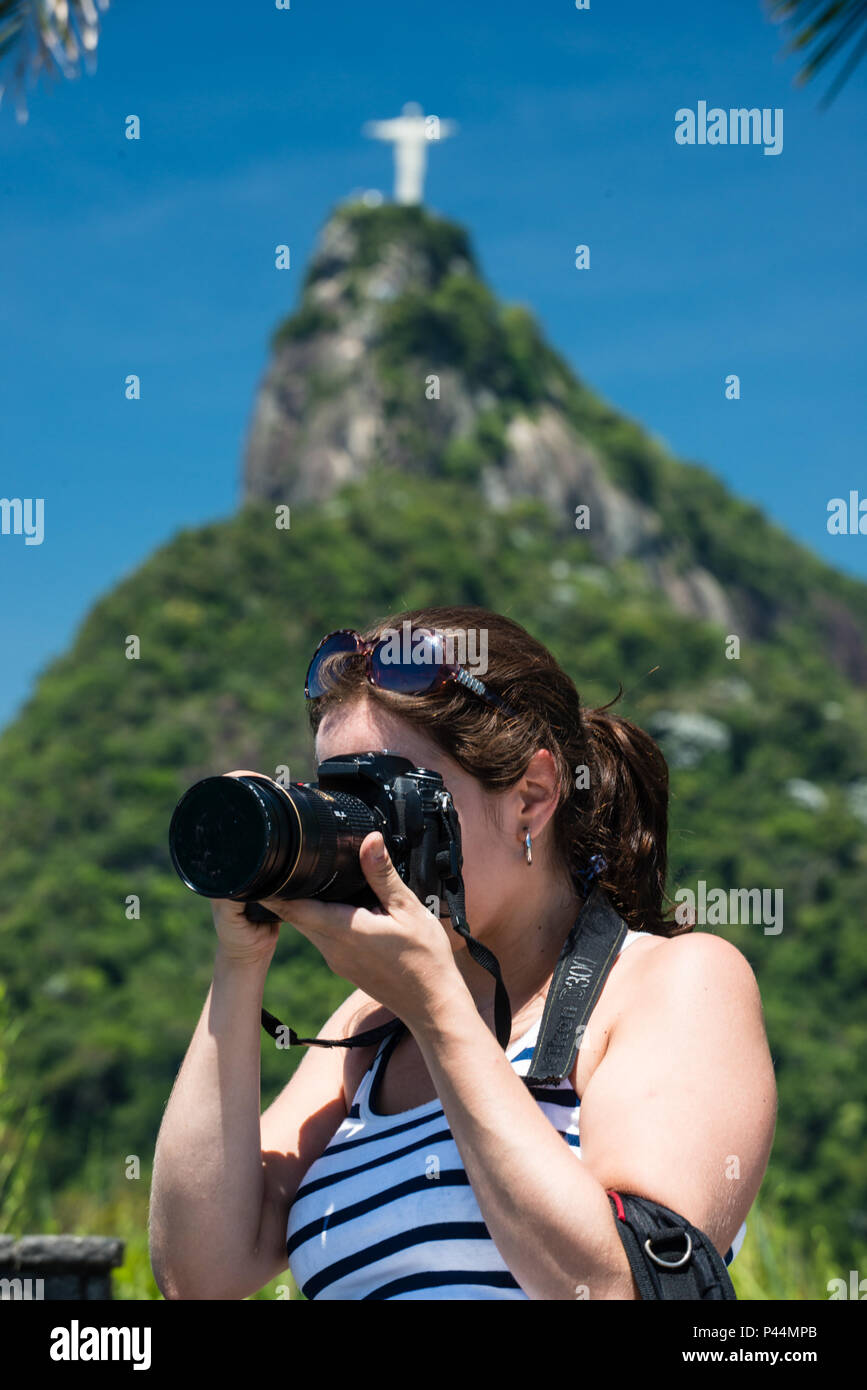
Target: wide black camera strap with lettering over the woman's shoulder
[(588, 954)]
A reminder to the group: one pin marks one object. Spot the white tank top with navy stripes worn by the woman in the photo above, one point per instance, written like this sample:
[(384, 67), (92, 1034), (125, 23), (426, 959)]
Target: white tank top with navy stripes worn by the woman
[(388, 1210)]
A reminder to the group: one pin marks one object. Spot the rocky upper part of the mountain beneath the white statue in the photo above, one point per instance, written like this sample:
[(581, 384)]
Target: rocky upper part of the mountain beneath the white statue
[(401, 358)]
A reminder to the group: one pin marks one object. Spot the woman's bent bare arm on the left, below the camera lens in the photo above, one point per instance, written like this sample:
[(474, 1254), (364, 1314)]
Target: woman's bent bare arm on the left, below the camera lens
[(224, 1179)]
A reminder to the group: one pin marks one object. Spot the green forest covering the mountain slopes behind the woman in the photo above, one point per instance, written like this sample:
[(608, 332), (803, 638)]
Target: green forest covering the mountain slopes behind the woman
[(106, 957)]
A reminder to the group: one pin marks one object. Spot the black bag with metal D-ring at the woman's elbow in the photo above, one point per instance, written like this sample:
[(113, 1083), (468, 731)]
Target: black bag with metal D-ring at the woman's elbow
[(670, 1257)]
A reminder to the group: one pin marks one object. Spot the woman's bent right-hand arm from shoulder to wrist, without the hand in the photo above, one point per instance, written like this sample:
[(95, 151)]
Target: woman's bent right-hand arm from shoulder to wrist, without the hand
[(680, 1110)]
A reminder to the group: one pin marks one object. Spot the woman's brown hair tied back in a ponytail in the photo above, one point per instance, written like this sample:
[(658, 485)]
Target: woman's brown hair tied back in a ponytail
[(618, 810)]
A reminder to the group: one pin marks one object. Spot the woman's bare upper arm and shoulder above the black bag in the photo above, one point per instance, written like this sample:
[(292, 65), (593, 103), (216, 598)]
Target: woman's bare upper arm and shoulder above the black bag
[(686, 1100)]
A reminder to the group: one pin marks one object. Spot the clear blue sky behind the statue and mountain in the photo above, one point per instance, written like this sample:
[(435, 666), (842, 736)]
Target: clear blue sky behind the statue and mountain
[(158, 256)]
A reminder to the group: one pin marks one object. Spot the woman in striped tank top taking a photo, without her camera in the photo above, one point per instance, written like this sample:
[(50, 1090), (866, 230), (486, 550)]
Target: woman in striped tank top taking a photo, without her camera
[(426, 1168)]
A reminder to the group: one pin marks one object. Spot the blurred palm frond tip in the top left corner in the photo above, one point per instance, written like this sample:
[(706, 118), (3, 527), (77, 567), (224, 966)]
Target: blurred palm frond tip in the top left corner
[(53, 37)]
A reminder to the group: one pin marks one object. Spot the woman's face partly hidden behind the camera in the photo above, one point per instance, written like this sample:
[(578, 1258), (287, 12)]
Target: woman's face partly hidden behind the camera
[(493, 854)]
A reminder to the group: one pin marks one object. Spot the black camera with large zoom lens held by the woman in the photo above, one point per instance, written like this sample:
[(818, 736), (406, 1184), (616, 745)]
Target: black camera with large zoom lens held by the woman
[(251, 839)]
